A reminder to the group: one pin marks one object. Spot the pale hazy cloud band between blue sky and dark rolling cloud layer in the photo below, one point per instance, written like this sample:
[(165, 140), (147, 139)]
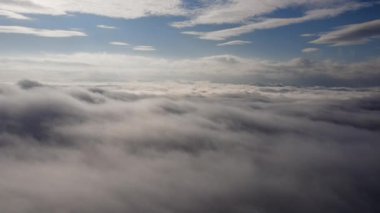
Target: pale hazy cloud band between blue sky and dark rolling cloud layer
[(220, 68)]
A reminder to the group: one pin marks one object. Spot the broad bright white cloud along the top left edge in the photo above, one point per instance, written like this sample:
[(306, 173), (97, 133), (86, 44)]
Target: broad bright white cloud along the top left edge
[(128, 9)]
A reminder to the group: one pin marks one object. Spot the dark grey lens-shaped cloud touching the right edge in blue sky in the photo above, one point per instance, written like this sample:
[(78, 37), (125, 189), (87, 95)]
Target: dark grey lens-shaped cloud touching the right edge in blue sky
[(353, 34)]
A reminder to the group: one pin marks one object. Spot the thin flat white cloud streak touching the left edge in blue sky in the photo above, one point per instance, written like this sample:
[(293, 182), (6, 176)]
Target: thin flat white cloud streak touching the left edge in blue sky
[(40, 32)]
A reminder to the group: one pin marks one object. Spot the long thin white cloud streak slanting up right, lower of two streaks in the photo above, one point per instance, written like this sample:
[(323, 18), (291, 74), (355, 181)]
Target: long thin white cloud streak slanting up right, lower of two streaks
[(270, 23)]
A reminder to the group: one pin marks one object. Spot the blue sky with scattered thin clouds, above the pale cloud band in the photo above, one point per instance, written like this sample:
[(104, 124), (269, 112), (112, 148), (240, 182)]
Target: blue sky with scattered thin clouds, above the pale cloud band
[(273, 30)]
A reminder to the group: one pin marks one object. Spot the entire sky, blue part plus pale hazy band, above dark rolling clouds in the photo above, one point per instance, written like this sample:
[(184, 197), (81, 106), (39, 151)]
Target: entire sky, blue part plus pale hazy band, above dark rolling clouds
[(238, 41)]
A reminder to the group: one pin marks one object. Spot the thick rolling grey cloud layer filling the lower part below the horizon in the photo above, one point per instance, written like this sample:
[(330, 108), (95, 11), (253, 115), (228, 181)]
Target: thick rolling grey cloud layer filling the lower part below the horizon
[(222, 149)]
